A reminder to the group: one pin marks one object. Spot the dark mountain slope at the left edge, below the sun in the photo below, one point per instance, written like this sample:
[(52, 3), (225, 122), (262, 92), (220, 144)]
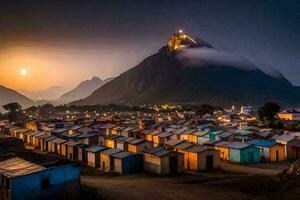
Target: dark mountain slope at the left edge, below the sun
[(10, 96)]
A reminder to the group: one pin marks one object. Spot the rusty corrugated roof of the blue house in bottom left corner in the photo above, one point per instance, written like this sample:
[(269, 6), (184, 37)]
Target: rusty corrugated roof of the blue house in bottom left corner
[(18, 167)]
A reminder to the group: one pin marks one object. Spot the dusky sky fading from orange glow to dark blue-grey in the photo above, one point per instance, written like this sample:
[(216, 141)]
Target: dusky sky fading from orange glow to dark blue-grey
[(62, 42)]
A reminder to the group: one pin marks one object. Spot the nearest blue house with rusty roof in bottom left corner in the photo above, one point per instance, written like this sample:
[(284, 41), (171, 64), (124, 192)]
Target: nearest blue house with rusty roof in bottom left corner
[(21, 179)]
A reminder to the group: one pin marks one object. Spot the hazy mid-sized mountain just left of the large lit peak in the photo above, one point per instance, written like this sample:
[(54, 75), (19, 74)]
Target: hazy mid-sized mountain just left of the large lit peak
[(83, 90)]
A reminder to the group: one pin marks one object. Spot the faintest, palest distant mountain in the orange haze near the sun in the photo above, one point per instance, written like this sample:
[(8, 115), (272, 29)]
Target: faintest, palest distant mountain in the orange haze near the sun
[(47, 94)]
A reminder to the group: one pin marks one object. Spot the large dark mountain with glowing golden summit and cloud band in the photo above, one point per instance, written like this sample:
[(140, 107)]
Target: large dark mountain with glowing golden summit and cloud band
[(188, 71)]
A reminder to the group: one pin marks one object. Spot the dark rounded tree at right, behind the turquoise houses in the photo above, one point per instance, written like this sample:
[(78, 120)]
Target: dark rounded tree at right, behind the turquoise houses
[(268, 112)]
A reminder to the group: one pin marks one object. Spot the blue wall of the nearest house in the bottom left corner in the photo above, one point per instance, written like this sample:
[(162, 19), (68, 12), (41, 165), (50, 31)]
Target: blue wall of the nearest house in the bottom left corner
[(64, 182)]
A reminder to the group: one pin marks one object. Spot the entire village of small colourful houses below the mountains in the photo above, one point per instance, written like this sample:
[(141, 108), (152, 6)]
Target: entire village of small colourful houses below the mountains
[(163, 142)]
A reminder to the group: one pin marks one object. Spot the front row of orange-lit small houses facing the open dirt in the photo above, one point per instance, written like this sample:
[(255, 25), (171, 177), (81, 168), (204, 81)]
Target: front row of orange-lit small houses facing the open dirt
[(125, 154)]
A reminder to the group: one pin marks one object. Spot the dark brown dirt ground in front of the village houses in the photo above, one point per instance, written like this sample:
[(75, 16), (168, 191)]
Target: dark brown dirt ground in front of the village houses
[(232, 182)]
